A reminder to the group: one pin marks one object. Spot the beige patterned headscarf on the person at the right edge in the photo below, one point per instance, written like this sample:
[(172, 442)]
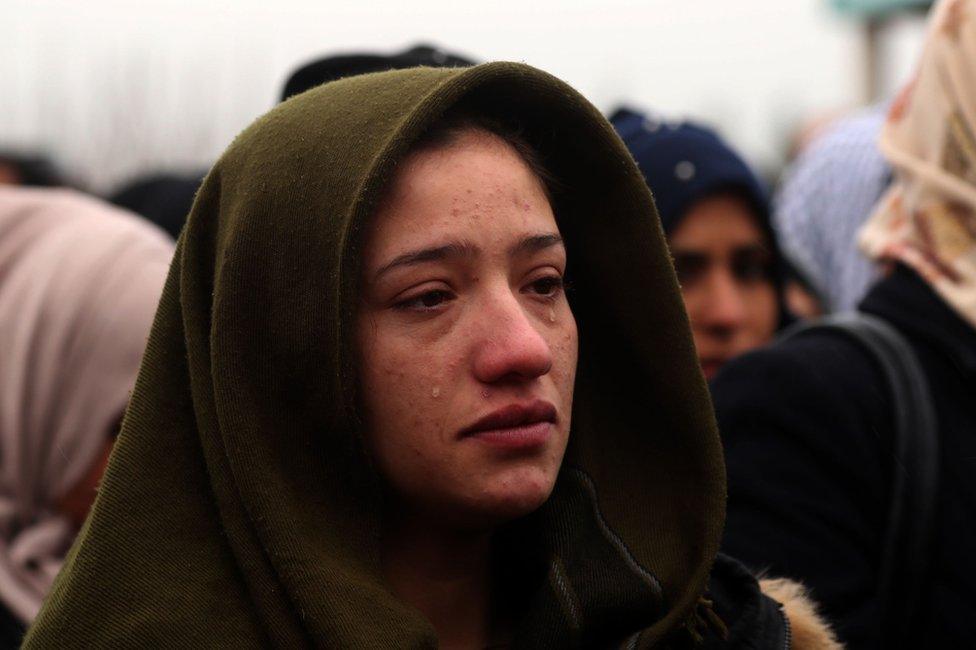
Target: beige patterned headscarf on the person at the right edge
[(927, 219)]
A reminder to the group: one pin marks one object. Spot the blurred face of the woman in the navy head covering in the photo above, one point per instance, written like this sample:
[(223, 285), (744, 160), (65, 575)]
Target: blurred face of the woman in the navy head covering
[(722, 261)]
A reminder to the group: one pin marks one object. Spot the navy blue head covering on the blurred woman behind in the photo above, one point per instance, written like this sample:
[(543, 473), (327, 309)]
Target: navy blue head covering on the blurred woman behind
[(684, 162)]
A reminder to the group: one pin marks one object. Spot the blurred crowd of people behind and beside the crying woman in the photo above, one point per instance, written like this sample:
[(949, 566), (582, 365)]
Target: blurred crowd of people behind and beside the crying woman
[(874, 213)]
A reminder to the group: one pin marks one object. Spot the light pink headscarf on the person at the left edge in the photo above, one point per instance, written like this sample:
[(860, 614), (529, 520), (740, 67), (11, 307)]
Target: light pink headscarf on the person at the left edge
[(79, 283)]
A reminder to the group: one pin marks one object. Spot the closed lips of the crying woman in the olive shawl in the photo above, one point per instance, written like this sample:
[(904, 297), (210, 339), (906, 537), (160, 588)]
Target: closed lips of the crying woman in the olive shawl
[(515, 426)]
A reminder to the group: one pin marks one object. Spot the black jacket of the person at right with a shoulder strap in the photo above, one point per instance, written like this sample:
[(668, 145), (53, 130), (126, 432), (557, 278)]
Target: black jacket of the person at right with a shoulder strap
[(807, 429)]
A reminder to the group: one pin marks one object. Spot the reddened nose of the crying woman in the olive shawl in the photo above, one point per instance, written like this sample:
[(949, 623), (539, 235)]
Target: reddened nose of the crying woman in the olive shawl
[(512, 346)]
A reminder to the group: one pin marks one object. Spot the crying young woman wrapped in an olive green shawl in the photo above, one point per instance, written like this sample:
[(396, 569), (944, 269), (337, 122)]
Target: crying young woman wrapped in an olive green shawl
[(420, 377)]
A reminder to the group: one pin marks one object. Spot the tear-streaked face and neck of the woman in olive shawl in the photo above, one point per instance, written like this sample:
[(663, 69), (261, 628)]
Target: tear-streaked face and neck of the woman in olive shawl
[(475, 323)]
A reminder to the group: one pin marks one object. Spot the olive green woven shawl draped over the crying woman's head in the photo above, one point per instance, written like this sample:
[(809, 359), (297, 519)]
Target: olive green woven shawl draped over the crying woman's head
[(239, 509)]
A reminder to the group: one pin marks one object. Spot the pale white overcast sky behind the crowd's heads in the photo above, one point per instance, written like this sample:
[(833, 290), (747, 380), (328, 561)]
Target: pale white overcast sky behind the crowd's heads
[(113, 88)]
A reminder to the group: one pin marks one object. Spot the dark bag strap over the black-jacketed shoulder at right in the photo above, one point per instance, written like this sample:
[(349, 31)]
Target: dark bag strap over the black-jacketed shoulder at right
[(914, 473)]
